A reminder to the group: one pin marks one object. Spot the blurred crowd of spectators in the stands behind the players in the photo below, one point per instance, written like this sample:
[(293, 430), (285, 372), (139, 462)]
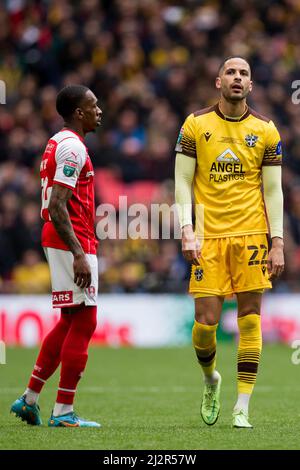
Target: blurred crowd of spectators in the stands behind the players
[(150, 63)]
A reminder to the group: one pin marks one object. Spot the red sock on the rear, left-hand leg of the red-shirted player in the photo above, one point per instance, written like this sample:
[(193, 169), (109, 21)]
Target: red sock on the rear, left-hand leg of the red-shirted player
[(49, 357)]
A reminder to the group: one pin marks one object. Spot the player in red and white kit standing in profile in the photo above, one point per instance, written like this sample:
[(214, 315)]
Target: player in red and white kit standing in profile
[(69, 242)]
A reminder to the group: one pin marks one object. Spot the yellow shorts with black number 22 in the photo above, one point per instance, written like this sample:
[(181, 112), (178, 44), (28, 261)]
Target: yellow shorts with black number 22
[(230, 265)]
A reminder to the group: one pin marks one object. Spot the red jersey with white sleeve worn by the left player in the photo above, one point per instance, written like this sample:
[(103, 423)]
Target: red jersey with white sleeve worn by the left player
[(66, 162)]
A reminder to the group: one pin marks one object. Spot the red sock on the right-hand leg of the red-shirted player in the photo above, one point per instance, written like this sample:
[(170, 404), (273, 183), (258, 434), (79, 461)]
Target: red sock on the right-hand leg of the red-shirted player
[(74, 353)]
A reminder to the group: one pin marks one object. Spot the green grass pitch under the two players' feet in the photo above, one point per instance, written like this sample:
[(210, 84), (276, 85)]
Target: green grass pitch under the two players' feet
[(150, 398)]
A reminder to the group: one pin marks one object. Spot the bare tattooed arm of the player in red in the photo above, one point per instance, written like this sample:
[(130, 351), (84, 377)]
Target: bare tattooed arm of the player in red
[(62, 223)]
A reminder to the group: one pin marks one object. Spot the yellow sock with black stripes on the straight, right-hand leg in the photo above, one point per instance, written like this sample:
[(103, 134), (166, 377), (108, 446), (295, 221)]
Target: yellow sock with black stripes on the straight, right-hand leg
[(249, 349)]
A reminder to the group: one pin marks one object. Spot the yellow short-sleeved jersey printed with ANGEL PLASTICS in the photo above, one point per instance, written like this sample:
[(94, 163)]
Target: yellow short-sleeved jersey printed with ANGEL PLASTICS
[(228, 176)]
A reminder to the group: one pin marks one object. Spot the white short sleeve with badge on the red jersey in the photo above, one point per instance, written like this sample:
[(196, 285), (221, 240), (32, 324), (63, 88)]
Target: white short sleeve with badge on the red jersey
[(70, 158)]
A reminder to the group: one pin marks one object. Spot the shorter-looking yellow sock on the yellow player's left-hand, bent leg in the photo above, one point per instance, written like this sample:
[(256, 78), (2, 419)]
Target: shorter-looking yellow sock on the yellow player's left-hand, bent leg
[(204, 341)]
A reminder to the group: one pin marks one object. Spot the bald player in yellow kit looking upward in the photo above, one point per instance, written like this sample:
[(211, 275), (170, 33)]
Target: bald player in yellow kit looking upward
[(226, 153)]
